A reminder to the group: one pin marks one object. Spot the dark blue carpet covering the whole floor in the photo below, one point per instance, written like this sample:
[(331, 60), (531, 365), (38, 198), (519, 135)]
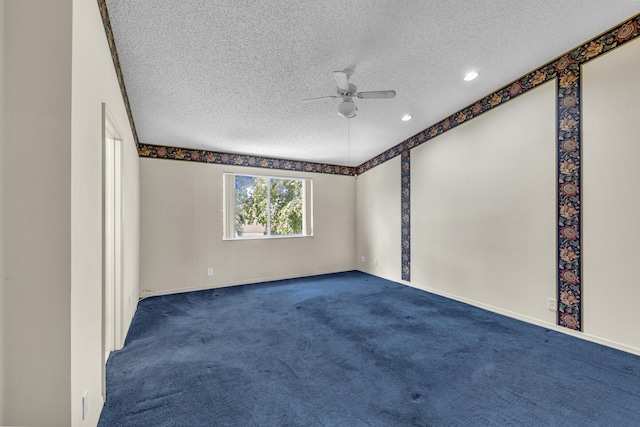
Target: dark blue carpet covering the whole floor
[(352, 349)]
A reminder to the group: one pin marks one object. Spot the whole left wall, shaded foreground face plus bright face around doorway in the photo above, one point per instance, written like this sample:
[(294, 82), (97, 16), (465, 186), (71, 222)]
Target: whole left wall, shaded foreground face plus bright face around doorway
[(57, 73)]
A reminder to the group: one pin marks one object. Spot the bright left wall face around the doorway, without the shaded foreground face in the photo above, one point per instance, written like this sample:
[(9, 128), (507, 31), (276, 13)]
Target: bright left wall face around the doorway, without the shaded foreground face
[(95, 82)]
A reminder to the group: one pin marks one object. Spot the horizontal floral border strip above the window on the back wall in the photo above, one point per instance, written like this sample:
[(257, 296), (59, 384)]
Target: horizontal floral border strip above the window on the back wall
[(204, 156)]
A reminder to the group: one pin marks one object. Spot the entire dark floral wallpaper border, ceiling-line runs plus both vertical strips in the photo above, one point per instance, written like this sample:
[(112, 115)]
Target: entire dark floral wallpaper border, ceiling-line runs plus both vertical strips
[(566, 69)]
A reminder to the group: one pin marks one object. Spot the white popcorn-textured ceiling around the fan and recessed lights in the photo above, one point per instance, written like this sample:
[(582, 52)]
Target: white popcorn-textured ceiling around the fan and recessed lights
[(229, 75)]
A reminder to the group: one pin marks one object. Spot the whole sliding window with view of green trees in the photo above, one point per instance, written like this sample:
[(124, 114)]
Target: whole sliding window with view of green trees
[(266, 206)]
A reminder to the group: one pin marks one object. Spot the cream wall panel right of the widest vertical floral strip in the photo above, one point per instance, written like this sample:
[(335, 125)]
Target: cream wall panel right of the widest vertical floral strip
[(611, 201)]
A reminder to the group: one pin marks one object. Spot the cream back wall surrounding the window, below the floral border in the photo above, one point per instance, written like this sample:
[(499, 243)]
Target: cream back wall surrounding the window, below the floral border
[(181, 230)]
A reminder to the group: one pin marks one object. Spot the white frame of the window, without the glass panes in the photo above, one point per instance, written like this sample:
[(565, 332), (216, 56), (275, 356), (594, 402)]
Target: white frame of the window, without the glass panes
[(229, 208)]
